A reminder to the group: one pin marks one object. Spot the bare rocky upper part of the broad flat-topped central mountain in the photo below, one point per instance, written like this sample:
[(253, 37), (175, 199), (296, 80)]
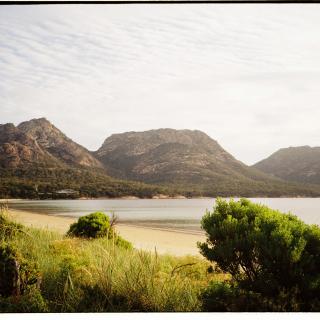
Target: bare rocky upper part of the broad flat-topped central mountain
[(166, 155)]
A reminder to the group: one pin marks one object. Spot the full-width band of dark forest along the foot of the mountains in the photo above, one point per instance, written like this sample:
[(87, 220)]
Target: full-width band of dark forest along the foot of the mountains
[(38, 182)]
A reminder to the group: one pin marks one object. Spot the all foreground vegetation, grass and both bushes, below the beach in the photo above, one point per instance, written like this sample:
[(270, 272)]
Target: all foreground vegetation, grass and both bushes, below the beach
[(258, 259)]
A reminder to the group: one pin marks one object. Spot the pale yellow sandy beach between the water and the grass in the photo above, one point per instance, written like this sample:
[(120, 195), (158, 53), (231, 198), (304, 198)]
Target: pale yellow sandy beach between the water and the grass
[(164, 241)]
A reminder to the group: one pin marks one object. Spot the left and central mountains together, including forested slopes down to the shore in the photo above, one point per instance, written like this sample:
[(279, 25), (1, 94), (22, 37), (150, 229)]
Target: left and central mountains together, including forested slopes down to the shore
[(169, 161)]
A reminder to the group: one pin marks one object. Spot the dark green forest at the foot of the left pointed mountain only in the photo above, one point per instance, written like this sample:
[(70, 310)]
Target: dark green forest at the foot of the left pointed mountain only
[(44, 182)]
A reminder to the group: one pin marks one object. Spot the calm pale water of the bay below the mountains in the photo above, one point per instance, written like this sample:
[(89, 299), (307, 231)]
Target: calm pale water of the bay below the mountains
[(174, 213)]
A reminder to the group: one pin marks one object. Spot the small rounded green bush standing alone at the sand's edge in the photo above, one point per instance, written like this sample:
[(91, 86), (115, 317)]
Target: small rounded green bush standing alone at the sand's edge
[(94, 225)]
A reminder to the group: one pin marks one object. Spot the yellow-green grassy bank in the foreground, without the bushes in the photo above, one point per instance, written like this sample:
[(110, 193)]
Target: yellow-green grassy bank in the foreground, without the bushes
[(79, 275)]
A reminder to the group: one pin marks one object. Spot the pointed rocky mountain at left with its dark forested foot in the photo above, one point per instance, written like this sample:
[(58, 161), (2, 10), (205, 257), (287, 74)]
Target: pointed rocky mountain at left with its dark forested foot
[(38, 160)]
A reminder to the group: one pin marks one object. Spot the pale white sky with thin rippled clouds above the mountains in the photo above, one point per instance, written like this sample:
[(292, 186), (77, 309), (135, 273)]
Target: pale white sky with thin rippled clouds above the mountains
[(248, 75)]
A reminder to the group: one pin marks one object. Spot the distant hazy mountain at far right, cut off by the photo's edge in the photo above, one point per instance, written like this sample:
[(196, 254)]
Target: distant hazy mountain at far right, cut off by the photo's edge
[(301, 164)]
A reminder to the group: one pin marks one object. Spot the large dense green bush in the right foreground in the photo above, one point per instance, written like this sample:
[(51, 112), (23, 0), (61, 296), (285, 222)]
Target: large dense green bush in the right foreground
[(266, 252)]
